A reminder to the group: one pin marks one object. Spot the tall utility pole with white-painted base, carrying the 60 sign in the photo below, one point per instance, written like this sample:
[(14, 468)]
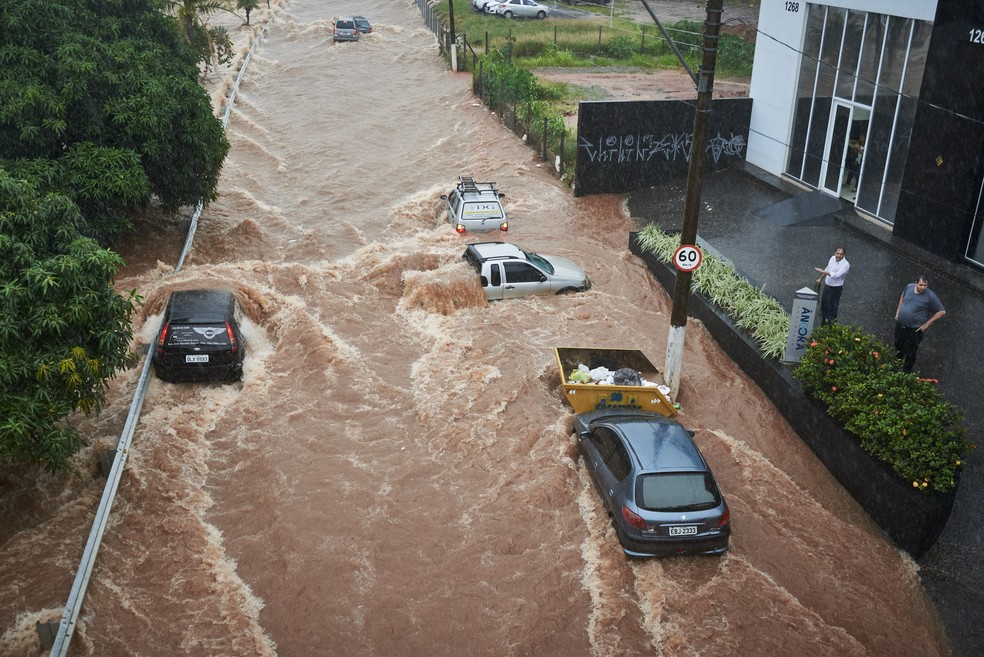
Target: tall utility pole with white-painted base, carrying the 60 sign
[(691, 209)]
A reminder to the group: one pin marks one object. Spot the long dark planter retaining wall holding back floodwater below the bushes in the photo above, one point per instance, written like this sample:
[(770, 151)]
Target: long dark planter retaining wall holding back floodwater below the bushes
[(914, 520)]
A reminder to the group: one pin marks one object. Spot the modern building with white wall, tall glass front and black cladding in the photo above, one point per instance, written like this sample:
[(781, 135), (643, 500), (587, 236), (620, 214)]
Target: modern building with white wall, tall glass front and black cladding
[(901, 78)]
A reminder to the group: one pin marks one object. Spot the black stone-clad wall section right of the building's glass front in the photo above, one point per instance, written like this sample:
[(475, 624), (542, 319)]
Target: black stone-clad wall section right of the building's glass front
[(944, 166)]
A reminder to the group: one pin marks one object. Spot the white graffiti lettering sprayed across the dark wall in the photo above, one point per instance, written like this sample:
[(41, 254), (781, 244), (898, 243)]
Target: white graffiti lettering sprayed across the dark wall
[(621, 149)]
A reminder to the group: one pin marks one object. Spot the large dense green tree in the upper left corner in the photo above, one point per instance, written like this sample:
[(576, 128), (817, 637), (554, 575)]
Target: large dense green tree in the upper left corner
[(100, 101)]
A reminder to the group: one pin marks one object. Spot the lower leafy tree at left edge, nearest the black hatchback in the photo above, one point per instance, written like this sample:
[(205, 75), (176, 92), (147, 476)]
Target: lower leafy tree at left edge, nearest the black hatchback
[(64, 331)]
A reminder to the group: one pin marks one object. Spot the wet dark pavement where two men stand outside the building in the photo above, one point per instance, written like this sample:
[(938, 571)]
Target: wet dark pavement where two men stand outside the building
[(748, 218)]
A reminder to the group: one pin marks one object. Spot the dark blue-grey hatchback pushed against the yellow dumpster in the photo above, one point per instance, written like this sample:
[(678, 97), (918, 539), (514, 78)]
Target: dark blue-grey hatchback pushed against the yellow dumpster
[(658, 489)]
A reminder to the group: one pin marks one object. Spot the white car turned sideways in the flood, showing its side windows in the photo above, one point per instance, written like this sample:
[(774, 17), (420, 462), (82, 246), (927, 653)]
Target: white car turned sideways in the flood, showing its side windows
[(507, 271)]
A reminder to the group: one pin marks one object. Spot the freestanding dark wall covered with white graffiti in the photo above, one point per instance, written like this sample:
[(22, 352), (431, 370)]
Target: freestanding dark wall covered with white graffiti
[(624, 146)]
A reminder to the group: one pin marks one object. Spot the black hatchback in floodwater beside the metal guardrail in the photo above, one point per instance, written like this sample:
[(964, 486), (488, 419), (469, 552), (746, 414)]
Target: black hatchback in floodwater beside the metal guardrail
[(199, 338)]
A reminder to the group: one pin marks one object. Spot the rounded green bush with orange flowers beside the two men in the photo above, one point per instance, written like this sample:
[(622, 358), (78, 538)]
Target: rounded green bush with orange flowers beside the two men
[(899, 418)]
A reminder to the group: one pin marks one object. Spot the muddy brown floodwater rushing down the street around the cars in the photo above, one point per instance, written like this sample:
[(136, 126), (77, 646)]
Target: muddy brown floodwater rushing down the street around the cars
[(397, 472)]
